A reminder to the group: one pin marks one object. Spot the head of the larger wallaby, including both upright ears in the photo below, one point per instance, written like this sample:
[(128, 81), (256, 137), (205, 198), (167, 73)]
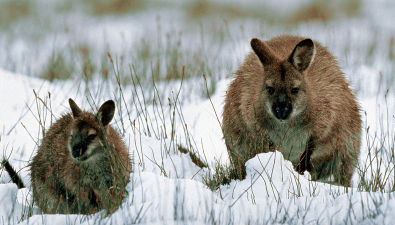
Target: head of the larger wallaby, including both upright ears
[(284, 91)]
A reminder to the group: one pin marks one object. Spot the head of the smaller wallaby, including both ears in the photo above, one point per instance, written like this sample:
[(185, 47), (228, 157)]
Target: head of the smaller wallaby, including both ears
[(86, 133)]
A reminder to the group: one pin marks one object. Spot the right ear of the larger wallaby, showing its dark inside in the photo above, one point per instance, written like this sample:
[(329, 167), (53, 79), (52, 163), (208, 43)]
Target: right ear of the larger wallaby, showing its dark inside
[(302, 55)]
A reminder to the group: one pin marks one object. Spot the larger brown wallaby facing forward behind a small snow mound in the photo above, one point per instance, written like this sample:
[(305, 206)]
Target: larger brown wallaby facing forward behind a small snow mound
[(321, 128)]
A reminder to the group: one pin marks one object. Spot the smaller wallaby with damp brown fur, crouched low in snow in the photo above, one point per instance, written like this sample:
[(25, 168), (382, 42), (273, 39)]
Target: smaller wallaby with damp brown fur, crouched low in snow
[(82, 164)]
